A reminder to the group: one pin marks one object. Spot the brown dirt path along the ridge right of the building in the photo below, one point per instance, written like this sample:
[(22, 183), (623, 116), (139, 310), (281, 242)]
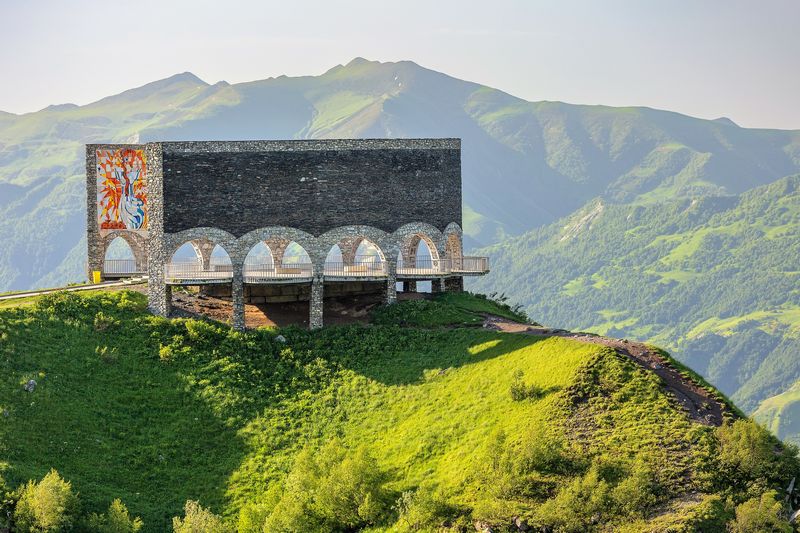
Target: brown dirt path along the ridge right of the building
[(701, 406)]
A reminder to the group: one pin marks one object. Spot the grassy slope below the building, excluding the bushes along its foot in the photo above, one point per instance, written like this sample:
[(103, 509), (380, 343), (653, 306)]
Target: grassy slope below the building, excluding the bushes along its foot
[(157, 411)]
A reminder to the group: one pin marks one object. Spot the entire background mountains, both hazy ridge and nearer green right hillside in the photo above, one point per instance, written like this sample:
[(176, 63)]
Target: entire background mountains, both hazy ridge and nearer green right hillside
[(653, 224)]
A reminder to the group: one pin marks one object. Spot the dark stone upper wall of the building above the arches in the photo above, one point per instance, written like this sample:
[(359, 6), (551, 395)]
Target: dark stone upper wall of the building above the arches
[(314, 186)]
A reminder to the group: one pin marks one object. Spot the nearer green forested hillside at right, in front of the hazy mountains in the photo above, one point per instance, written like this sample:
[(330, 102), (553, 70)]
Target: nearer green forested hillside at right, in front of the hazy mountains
[(713, 278)]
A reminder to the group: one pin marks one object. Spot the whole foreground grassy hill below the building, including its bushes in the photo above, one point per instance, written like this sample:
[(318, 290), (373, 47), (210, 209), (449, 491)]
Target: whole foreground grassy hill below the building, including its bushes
[(432, 424)]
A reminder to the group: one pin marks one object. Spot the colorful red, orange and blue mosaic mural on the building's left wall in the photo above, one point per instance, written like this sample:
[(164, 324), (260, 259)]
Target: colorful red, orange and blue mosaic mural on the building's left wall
[(121, 189)]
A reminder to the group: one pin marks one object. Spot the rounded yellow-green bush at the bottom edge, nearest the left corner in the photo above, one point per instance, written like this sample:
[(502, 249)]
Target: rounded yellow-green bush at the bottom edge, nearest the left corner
[(49, 505)]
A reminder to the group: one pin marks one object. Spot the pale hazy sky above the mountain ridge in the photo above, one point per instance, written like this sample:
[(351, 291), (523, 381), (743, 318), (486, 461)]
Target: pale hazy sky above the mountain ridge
[(706, 58)]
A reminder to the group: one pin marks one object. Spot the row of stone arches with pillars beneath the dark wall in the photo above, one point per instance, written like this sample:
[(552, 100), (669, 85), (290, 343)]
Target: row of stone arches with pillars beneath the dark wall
[(282, 254)]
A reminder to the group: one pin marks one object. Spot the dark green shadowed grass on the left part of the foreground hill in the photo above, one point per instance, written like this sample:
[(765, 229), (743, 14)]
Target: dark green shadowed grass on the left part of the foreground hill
[(110, 417)]
